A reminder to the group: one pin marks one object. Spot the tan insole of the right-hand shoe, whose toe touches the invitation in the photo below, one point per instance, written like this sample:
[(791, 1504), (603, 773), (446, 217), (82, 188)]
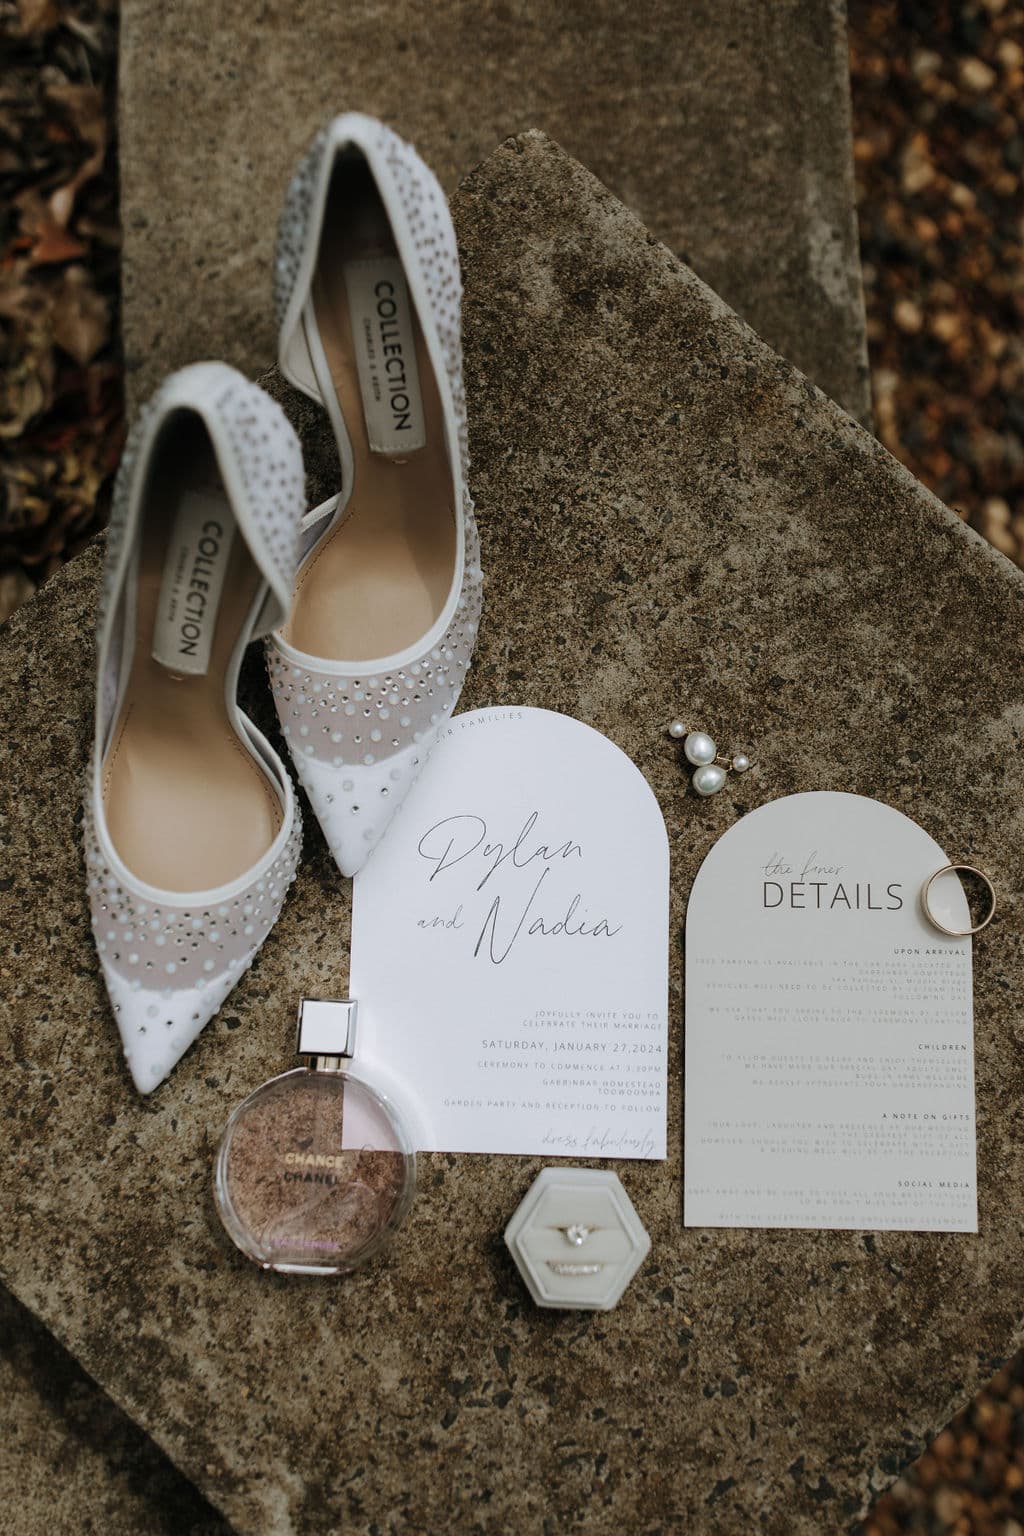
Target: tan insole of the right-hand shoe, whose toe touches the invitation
[(383, 575)]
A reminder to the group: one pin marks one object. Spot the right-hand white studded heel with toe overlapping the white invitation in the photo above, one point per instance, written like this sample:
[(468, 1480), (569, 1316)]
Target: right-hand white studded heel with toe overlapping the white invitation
[(388, 598)]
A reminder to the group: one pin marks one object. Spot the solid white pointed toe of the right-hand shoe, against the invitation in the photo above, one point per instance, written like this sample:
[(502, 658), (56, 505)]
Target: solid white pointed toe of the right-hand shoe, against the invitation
[(355, 806)]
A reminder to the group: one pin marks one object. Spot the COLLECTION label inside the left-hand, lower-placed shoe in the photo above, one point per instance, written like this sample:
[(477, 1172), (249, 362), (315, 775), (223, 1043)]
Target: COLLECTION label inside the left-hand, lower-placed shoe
[(199, 552)]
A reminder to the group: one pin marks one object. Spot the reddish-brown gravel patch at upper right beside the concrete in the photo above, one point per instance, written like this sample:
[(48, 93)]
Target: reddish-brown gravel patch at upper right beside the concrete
[(939, 145)]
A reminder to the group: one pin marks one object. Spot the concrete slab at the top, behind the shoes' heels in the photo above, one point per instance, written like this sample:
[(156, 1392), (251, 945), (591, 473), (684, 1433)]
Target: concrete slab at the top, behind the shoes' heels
[(725, 124)]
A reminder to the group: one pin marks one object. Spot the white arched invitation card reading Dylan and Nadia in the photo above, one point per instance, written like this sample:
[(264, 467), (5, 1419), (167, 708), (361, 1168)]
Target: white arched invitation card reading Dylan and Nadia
[(510, 945)]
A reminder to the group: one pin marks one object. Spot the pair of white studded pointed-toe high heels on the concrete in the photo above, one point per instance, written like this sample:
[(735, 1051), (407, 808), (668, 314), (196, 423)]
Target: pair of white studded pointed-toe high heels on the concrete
[(369, 604)]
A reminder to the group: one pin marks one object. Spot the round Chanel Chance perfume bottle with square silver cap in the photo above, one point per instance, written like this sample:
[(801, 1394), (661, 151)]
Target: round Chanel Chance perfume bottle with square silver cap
[(315, 1171)]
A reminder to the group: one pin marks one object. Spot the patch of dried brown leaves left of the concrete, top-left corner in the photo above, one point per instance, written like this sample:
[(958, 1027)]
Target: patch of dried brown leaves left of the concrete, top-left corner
[(61, 403)]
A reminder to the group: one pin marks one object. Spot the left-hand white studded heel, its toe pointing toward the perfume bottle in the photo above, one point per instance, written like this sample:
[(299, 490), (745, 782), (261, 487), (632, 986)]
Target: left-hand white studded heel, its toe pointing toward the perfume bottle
[(193, 832)]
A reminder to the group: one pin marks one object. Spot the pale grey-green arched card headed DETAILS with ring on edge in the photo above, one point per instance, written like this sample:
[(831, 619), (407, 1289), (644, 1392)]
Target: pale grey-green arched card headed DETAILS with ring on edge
[(830, 1027)]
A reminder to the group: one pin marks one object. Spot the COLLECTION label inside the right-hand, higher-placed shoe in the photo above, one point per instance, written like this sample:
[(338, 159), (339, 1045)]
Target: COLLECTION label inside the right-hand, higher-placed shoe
[(386, 356)]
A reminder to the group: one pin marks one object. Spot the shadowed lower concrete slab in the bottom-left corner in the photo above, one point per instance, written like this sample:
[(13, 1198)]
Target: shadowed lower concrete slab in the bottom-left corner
[(71, 1463)]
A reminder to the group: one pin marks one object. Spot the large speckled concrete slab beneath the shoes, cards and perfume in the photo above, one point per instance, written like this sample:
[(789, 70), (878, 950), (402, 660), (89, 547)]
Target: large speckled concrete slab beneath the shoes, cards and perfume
[(675, 521)]
